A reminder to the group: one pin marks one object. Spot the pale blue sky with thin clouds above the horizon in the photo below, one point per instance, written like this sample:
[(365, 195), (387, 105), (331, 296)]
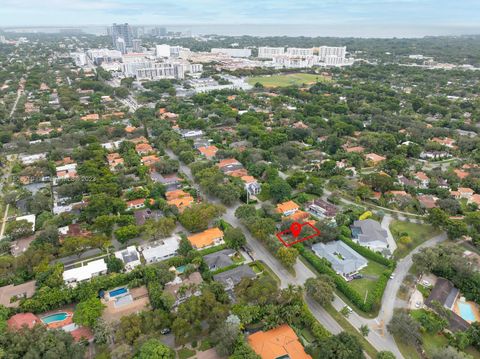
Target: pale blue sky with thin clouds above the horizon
[(437, 15)]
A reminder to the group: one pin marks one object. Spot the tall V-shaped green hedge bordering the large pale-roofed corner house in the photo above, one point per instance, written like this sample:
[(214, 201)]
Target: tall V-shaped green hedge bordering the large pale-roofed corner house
[(374, 297)]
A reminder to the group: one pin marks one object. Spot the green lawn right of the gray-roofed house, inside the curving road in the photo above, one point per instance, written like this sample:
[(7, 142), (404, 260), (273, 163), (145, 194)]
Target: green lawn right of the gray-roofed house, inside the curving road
[(419, 233)]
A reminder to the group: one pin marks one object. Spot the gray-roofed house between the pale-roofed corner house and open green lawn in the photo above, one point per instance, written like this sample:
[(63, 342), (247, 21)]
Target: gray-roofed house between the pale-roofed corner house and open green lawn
[(369, 233)]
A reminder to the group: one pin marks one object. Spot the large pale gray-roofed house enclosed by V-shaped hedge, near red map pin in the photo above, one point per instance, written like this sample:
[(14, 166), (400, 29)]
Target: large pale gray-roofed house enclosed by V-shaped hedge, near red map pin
[(344, 260)]
